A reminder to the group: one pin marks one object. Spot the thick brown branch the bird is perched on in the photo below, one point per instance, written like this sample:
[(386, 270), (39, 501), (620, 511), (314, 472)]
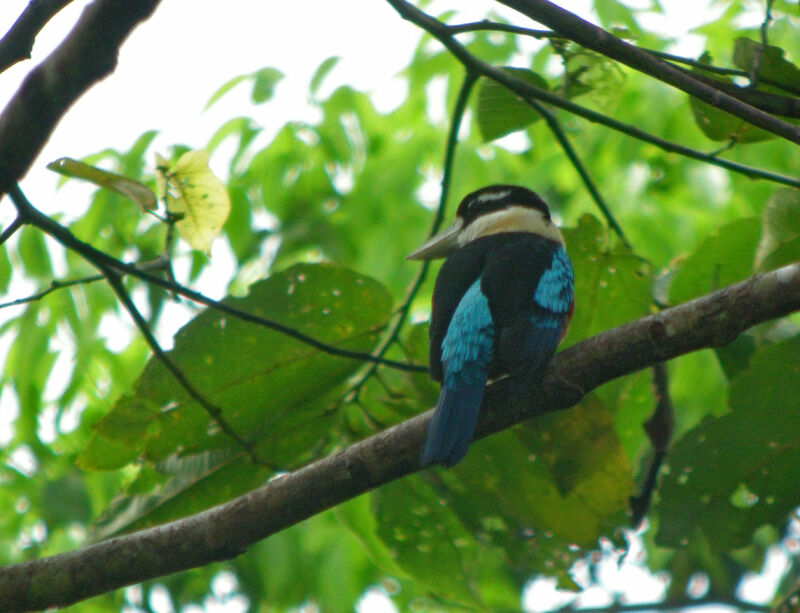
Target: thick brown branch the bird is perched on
[(227, 530)]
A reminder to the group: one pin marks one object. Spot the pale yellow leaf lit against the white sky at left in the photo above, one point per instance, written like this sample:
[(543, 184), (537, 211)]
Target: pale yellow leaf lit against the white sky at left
[(195, 196)]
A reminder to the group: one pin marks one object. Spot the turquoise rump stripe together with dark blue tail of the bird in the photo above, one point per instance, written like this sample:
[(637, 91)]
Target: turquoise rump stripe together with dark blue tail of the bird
[(466, 353)]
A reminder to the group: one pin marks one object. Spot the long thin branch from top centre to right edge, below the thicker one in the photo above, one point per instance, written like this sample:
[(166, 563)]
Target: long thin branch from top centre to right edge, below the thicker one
[(526, 90)]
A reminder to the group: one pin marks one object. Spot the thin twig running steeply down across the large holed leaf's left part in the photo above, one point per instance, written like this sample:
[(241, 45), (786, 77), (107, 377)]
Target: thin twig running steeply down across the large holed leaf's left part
[(214, 412)]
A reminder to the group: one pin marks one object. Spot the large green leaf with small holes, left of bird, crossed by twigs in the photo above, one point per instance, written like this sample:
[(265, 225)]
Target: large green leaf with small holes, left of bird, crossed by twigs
[(260, 379)]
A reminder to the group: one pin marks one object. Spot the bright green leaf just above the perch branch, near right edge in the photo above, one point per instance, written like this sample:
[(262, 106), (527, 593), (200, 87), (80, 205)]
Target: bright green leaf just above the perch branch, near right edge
[(724, 258)]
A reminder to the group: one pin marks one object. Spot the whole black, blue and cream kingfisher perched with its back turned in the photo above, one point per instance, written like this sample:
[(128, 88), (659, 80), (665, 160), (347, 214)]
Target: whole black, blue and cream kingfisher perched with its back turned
[(501, 304)]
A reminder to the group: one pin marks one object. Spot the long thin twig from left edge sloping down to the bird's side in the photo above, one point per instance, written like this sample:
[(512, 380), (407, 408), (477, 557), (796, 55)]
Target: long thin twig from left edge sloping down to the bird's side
[(102, 260)]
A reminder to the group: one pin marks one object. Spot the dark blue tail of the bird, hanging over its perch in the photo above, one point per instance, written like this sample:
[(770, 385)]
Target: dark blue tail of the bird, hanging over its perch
[(453, 424)]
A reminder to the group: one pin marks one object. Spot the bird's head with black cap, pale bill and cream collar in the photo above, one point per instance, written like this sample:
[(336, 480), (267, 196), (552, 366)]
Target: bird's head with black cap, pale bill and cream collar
[(491, 210)]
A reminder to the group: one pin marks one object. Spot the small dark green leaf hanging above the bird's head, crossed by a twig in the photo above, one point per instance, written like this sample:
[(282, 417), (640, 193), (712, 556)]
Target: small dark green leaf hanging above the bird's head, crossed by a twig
[(500, 111)]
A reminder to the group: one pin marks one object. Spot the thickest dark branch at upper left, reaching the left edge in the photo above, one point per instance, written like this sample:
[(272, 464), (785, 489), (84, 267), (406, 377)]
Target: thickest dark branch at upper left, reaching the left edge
[(85, 57)]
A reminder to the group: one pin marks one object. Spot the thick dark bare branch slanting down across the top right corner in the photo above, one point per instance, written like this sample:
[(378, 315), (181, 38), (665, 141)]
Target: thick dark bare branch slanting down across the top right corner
[(597, 39)]
